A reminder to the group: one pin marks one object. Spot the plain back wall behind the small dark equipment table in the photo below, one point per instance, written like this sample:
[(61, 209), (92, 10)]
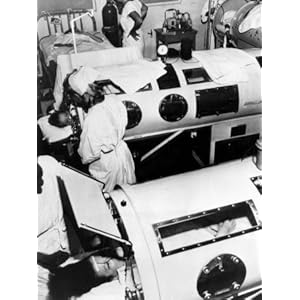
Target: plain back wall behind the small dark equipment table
[(155, 19)]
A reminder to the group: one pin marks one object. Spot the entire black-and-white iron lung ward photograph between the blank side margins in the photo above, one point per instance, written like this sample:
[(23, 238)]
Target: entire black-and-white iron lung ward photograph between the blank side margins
[(149, 149)]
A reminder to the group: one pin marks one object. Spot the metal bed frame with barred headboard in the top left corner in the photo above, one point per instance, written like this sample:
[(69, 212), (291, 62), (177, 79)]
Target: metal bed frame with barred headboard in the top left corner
[(53, 22)]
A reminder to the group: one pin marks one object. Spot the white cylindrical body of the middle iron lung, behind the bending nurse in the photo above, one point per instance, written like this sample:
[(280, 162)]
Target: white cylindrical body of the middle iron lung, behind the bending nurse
[(187, 98)]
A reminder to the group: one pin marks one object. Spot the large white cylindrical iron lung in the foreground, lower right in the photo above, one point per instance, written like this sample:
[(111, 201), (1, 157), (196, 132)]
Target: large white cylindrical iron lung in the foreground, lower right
[(167, 222)]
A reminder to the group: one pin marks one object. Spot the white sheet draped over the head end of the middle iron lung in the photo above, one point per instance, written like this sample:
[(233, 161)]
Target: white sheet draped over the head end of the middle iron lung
[(124, 66)]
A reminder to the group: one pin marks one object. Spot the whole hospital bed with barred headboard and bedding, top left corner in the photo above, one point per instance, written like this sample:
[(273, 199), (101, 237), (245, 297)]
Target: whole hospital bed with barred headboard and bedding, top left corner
[(55, 37)]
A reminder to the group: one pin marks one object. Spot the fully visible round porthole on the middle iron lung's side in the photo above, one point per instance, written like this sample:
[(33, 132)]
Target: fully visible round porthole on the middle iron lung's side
[(173, 108)]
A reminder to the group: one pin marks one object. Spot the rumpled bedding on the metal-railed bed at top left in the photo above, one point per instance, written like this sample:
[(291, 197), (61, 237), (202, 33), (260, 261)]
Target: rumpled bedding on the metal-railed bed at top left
[(55, 45)]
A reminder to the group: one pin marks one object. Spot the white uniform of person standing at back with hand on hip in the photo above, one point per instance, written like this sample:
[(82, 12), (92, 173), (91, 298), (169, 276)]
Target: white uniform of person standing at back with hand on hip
[(127, 24)]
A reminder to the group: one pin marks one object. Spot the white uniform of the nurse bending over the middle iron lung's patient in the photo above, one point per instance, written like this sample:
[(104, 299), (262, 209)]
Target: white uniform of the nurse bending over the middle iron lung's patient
[(102, 145)]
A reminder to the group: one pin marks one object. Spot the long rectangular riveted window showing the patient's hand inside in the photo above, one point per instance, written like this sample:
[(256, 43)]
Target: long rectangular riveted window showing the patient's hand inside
[(188, 232)]
